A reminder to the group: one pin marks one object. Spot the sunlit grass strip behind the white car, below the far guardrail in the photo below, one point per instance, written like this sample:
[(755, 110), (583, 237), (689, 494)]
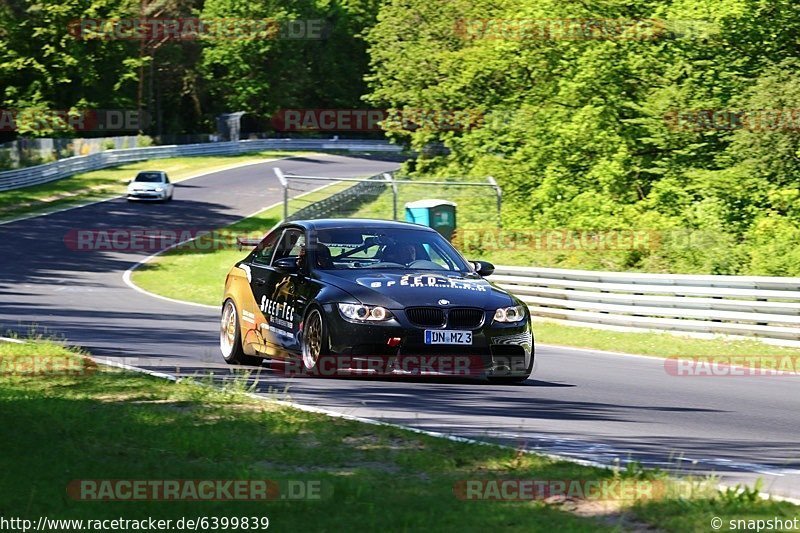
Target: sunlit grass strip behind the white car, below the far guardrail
[(101, 184)]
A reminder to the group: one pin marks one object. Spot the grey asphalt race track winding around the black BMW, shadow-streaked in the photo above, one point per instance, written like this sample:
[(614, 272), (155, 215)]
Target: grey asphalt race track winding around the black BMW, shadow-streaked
[(589, 405)]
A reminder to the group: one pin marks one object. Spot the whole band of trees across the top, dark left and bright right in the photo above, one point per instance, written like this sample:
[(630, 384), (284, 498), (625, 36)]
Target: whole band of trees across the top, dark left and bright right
[(584, 133)]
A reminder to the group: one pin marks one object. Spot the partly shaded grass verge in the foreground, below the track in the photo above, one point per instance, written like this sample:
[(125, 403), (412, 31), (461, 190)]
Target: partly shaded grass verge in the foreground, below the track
[(104, 423)]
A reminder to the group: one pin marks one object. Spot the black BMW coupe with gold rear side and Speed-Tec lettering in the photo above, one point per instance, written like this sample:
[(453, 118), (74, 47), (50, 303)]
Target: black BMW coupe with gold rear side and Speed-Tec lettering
[(371, 297)]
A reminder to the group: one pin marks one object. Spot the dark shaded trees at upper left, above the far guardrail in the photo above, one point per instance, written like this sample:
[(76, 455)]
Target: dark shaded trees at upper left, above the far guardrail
[(182, 83)]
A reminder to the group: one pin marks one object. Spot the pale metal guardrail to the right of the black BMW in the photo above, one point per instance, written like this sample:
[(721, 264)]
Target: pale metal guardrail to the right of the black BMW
[(755, 306)]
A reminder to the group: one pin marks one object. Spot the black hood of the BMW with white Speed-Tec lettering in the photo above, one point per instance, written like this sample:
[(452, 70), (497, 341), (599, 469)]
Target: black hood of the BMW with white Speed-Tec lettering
[(394, 290)]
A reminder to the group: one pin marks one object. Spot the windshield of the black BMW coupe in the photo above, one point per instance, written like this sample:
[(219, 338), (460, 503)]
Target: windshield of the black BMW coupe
[(396, 249)]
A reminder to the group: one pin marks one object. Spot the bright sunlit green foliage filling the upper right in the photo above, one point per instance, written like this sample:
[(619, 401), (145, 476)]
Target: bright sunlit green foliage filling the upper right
[(578, 131)]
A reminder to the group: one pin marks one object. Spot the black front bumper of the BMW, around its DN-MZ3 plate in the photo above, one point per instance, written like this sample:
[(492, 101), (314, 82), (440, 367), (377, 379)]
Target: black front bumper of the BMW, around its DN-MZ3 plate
[(497, 350)]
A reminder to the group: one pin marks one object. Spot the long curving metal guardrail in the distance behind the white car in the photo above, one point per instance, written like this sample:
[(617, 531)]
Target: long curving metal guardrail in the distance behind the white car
[(25, 177)]
